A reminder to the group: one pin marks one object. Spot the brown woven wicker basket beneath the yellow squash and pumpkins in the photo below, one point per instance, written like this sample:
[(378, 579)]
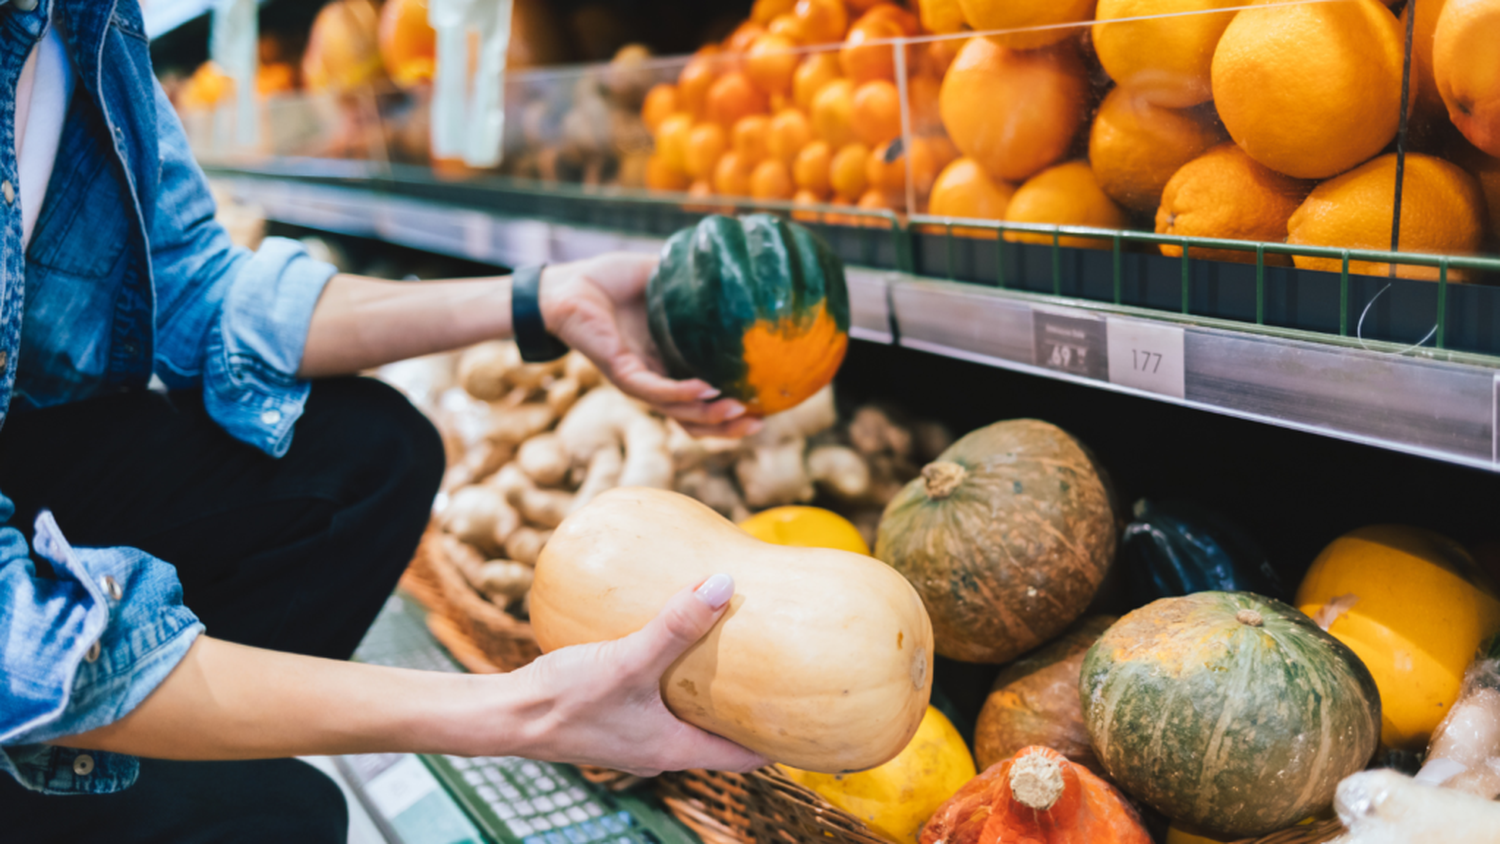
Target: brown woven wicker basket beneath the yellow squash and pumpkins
[(766, 807)]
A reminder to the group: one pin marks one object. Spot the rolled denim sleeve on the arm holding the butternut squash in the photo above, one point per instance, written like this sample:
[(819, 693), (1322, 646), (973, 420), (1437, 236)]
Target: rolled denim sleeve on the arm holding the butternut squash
[(80, 651)]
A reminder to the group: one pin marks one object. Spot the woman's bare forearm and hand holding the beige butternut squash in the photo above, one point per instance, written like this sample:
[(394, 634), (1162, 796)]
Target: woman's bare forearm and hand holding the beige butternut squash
[(590, 705)]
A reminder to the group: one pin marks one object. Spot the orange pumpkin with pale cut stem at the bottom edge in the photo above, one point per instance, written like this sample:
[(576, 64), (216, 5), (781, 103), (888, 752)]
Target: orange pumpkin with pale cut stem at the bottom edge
[(1037, 797)]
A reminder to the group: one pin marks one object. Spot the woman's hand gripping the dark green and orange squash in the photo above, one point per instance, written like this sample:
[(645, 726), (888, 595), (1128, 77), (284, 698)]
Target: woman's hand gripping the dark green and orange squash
[(598, 307)]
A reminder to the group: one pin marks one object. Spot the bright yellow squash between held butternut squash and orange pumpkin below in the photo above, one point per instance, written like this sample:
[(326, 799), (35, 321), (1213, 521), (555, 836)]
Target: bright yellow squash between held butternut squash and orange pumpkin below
[(898, 798)]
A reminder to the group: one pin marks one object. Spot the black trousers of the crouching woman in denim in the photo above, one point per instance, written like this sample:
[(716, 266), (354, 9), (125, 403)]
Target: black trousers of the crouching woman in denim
[(296, 555)]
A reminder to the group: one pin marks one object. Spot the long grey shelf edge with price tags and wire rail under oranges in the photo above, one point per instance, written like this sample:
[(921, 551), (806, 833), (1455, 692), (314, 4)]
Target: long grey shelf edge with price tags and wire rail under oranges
[(1426, 401)]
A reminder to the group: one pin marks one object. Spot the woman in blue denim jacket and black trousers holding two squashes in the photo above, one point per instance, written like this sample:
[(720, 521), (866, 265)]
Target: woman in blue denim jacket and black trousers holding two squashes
[(236, 509)]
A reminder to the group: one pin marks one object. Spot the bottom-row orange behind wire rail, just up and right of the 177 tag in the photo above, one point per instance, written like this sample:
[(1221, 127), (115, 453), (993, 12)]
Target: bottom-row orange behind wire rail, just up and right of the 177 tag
[(1228, 194)]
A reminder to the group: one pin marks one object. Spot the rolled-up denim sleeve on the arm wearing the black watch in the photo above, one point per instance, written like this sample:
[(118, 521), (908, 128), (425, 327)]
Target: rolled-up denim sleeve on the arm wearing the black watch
[(229, 320)]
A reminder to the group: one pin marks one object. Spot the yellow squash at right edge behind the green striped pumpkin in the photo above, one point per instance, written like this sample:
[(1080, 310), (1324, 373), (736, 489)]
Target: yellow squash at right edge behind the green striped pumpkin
[(1408, 603)]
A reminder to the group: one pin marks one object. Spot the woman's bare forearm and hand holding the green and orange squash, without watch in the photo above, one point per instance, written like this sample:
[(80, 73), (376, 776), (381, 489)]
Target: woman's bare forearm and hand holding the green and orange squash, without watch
[(595, 307)]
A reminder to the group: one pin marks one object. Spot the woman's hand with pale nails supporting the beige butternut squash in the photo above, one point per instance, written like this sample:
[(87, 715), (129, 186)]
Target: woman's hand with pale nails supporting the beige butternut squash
[(602, 704)]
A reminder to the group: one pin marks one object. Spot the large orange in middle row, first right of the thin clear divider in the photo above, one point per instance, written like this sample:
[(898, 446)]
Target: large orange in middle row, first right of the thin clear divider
[(1013, 112)]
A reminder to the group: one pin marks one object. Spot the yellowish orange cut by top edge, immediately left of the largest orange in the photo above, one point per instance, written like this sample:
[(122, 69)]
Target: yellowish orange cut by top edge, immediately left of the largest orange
[(1163, 59)]
